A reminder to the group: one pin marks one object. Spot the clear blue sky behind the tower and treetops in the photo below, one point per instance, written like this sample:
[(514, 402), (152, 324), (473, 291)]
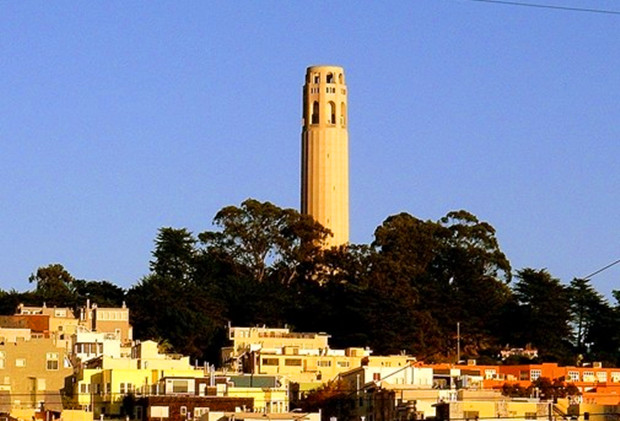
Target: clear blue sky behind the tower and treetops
[(118, 118)]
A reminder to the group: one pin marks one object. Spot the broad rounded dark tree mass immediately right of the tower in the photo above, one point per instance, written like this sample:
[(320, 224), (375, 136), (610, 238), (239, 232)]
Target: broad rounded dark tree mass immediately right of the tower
[(427, 276)]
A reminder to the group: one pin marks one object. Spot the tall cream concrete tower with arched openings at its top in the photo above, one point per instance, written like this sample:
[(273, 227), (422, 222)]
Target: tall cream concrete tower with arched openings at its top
[(325, 151)]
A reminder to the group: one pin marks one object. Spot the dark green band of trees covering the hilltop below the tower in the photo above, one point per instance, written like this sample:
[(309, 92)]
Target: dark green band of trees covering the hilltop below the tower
[(406, 291)]
